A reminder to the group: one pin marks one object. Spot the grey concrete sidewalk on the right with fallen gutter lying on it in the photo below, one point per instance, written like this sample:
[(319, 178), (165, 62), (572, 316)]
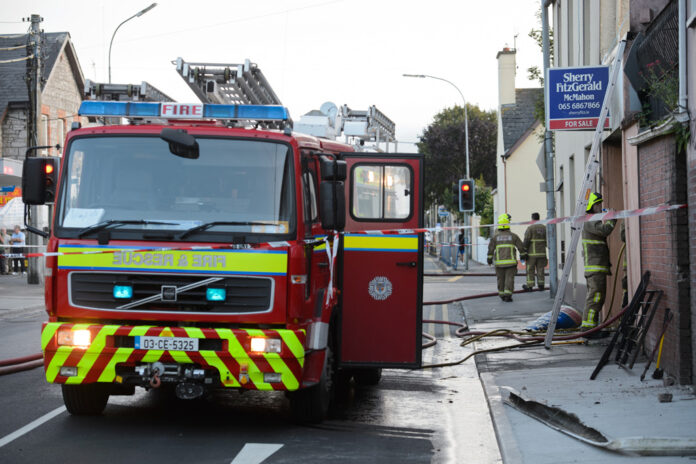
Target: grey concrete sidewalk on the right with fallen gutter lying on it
[(617, 403)]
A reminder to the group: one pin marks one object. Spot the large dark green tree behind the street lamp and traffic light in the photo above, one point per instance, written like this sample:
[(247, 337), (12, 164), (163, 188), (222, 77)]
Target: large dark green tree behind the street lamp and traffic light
[(443, 144)]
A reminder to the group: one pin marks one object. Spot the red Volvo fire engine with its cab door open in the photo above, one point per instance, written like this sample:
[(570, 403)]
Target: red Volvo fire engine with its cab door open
[(192, 255)]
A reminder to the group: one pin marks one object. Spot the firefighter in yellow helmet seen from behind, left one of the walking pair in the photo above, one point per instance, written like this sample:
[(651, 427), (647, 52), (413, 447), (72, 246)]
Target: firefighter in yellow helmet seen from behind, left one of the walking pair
[(501, 253)]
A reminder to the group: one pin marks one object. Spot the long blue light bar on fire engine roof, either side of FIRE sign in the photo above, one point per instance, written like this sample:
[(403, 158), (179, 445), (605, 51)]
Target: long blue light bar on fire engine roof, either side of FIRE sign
[(210, 111)]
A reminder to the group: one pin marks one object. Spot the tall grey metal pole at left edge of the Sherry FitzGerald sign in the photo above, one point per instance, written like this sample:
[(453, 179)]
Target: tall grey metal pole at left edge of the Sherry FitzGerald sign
[(548, 156)]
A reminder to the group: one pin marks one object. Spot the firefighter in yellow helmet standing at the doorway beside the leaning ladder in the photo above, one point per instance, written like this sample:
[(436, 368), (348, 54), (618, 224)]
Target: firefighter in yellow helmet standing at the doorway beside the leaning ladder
[(597, 265)]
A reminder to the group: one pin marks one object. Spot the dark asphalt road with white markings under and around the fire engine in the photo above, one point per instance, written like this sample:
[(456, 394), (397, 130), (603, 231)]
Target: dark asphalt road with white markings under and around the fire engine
[(429, 415)]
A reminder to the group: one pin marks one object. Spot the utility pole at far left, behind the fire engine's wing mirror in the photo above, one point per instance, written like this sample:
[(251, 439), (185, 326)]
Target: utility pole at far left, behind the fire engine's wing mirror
[(34, 78)]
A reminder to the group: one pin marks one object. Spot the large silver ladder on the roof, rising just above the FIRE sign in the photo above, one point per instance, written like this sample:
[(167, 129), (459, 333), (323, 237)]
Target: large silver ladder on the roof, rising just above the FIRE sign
[(231, 84)]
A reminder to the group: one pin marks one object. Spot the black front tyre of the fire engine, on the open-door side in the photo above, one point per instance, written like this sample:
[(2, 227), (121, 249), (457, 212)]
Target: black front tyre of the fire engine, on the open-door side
[(311, 405)]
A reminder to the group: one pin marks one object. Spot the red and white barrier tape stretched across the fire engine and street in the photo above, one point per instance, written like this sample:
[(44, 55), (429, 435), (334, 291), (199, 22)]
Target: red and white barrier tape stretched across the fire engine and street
[(579, 220)]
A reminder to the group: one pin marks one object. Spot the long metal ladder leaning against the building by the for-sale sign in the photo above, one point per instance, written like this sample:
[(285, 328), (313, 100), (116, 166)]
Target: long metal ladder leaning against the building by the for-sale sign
[(587, 184)]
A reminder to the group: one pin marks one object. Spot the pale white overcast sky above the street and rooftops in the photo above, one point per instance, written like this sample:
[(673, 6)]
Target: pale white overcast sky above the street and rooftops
[(350, 52)]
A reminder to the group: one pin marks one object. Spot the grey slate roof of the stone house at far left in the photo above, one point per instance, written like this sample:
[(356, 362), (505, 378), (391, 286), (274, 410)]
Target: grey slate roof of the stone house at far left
[(13, 87)]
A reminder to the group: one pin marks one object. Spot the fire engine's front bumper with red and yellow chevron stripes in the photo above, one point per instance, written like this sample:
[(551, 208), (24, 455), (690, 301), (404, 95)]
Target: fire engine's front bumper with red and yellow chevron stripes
[(224, 354)]
